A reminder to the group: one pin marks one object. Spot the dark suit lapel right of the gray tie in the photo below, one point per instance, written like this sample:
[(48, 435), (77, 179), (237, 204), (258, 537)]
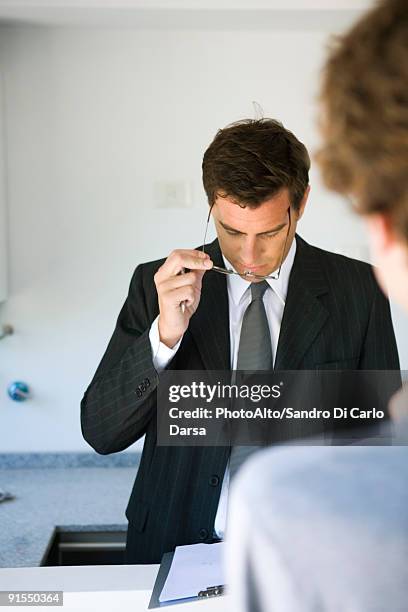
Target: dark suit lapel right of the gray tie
[(304, 314)]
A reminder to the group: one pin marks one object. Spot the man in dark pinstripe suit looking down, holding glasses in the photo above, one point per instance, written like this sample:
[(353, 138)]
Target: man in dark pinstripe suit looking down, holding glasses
[(306, 308)]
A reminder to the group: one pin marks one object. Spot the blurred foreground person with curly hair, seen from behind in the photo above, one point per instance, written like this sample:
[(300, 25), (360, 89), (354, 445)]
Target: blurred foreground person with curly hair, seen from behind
[(327, 528)]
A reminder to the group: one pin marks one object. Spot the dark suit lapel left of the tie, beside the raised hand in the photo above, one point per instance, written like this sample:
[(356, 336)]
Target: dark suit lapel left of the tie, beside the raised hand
[(209, 325)]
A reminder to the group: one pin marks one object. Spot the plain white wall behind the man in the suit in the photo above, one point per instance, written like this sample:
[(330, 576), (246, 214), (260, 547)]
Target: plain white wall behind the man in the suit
[(93, 117)]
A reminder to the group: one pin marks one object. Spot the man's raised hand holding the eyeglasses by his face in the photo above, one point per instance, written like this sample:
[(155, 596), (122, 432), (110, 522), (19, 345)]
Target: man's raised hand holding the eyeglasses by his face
[(173, 288)]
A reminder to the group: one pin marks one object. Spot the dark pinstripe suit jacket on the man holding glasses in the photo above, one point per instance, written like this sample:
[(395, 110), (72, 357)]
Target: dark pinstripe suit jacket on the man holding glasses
[(335, 317)]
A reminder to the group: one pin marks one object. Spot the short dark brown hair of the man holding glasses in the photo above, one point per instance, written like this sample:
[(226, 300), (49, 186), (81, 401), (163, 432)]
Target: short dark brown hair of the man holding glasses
[(252, 160)]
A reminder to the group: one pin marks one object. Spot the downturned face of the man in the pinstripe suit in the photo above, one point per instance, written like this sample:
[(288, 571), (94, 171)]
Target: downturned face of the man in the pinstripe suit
[(254, 238)]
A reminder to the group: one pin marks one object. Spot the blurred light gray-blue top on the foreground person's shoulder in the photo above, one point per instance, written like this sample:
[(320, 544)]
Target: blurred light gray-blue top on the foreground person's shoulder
[(321, 528)]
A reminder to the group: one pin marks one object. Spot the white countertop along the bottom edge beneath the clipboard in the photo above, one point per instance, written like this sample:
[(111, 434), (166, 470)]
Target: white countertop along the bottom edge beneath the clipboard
[(98, 587)]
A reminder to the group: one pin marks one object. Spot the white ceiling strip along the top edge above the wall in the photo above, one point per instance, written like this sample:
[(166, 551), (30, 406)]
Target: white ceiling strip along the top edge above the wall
[(292, 14)]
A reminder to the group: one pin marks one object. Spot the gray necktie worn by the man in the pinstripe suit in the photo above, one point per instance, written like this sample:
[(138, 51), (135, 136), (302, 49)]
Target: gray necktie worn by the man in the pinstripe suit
[(254, 353)]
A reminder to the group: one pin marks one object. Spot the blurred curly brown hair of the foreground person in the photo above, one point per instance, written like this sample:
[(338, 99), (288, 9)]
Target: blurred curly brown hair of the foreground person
[(364, 123)]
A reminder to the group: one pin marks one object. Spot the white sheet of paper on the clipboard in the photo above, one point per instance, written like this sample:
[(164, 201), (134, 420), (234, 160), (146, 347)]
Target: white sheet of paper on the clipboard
[(194, 568)]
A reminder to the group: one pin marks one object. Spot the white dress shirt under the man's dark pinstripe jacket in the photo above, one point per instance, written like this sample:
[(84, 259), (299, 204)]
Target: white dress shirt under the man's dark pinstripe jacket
[(239, 297)]
